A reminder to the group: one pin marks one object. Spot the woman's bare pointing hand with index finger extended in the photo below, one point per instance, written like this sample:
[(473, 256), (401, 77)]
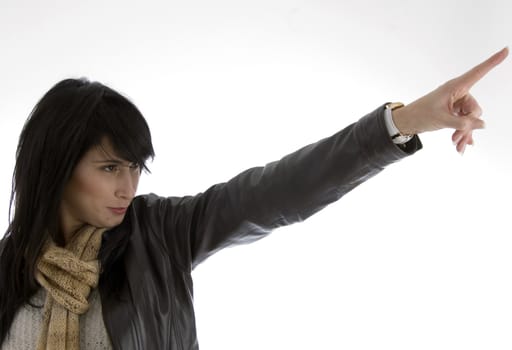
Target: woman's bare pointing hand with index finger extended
[(449, 106)]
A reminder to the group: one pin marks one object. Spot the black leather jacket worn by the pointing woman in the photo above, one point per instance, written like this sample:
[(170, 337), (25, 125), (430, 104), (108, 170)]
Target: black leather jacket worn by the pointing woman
[(169, 236)]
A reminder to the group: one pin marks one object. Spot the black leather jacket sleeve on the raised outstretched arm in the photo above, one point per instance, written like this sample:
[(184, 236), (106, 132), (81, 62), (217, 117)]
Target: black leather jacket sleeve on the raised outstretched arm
[(260, 199)]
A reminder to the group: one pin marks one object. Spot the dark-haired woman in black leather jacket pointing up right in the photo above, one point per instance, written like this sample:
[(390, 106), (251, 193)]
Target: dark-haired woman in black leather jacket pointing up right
[(86, 264)]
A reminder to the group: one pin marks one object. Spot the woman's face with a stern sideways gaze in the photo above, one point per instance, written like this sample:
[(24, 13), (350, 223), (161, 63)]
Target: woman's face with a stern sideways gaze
[(101, 188)]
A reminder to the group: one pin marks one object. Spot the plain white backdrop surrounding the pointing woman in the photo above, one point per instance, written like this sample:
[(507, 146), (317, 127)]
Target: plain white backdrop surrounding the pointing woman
[(419, 257)]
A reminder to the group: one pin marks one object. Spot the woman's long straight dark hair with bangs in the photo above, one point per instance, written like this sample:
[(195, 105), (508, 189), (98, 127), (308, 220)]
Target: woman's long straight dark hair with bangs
[(71, 118)]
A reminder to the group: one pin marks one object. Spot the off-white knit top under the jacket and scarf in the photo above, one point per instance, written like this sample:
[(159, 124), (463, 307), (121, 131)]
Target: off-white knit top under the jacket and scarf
[(26, 326)]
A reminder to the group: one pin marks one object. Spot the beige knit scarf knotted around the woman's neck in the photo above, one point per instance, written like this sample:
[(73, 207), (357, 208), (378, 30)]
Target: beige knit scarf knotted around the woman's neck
[(68, 274)]
